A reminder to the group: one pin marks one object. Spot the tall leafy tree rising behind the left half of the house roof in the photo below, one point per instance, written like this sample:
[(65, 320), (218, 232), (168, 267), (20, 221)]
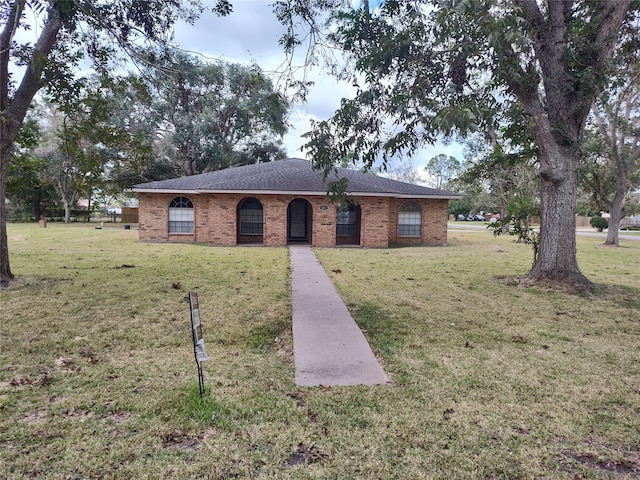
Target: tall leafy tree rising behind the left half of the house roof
[(214, 115)]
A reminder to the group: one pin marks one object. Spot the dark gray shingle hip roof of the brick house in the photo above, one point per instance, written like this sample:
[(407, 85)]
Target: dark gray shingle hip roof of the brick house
[(290, 175)]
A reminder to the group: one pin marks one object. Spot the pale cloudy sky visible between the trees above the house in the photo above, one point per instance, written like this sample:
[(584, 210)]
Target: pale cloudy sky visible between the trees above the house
[(250, 35)]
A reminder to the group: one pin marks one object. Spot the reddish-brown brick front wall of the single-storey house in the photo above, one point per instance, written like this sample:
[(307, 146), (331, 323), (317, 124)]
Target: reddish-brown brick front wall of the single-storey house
[(216, 220)]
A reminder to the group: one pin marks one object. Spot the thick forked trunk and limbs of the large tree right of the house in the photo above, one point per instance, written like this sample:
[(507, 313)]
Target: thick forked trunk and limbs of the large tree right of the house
[(559, 120)]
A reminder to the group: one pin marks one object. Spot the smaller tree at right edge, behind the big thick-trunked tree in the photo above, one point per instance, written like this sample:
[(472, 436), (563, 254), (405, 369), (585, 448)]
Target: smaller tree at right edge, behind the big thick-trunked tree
[(612, 161)]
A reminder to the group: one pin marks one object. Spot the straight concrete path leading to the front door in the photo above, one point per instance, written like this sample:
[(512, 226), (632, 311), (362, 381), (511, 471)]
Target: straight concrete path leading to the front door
[(328, 347)]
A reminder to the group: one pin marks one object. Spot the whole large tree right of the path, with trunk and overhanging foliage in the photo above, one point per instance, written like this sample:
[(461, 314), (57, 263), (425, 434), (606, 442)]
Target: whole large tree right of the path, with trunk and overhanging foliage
[(456, 67)]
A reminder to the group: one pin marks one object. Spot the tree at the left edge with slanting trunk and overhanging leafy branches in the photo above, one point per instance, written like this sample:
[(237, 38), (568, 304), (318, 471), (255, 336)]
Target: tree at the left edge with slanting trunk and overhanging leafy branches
[(107, 28)]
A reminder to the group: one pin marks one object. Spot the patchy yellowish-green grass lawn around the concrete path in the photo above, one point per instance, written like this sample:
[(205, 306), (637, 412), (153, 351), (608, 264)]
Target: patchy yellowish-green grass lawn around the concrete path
[(489, 380)]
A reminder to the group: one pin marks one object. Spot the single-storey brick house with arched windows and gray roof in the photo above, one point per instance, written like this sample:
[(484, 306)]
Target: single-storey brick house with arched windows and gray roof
[(284, 202)]
